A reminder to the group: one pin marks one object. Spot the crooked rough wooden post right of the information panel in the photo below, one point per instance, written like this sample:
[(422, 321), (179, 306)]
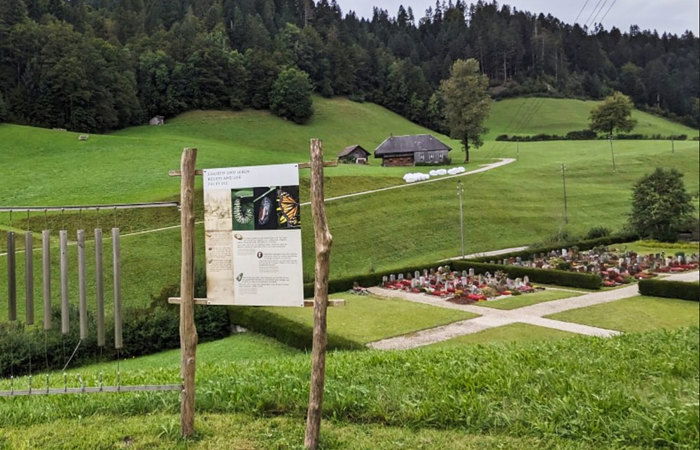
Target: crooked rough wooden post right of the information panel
[(323, 240)]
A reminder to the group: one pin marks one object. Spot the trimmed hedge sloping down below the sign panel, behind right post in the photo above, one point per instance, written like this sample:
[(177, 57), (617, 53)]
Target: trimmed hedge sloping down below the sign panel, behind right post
[(287, 331)]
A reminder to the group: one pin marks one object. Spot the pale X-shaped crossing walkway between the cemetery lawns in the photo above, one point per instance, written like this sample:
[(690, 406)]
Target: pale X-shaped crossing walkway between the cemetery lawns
[(490, 317)]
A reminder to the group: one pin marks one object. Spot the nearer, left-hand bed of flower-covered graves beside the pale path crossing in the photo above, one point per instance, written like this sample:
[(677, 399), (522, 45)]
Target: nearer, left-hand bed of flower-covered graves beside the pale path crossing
[(463, 287)]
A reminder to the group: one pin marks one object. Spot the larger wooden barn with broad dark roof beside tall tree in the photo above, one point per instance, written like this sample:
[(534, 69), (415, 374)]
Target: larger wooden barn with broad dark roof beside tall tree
[(412, 150)]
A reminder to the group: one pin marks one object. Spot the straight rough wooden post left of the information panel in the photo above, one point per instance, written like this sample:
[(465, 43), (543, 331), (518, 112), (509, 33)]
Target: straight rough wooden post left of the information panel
[(188, 331)]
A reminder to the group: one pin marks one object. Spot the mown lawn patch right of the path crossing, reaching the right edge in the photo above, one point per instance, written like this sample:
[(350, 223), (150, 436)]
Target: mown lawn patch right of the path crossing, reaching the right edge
[(635, 314)]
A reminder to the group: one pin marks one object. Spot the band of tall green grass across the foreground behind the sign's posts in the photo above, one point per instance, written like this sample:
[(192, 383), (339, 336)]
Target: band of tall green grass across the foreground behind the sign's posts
[(636, 389)]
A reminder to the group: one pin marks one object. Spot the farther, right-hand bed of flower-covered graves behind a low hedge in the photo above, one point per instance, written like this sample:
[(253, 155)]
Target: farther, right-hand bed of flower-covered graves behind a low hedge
[(614, 267)]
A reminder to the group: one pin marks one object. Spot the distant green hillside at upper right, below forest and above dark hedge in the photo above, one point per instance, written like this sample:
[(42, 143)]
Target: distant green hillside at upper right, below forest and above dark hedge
[(527, 116)]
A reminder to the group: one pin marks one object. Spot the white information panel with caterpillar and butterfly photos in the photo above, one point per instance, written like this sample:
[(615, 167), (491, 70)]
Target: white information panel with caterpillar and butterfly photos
[(253, 236)]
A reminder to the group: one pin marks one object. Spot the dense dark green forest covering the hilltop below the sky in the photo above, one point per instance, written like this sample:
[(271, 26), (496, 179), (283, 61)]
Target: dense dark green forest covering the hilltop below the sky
[(97, 65)]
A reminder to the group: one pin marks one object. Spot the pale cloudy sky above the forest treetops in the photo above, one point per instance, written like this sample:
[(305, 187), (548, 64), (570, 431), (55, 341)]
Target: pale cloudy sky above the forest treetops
[(674, 16)]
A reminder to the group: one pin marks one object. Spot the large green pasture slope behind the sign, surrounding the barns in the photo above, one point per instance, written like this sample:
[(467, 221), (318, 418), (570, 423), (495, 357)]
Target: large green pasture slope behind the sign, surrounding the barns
[(513, 205)]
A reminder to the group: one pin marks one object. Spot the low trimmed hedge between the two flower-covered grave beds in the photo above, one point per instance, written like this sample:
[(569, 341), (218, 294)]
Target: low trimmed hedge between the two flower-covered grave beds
[(558, 277)]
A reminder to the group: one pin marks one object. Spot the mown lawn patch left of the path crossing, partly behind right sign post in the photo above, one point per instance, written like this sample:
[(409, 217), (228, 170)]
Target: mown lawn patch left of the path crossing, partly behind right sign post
[(367, 318)]
